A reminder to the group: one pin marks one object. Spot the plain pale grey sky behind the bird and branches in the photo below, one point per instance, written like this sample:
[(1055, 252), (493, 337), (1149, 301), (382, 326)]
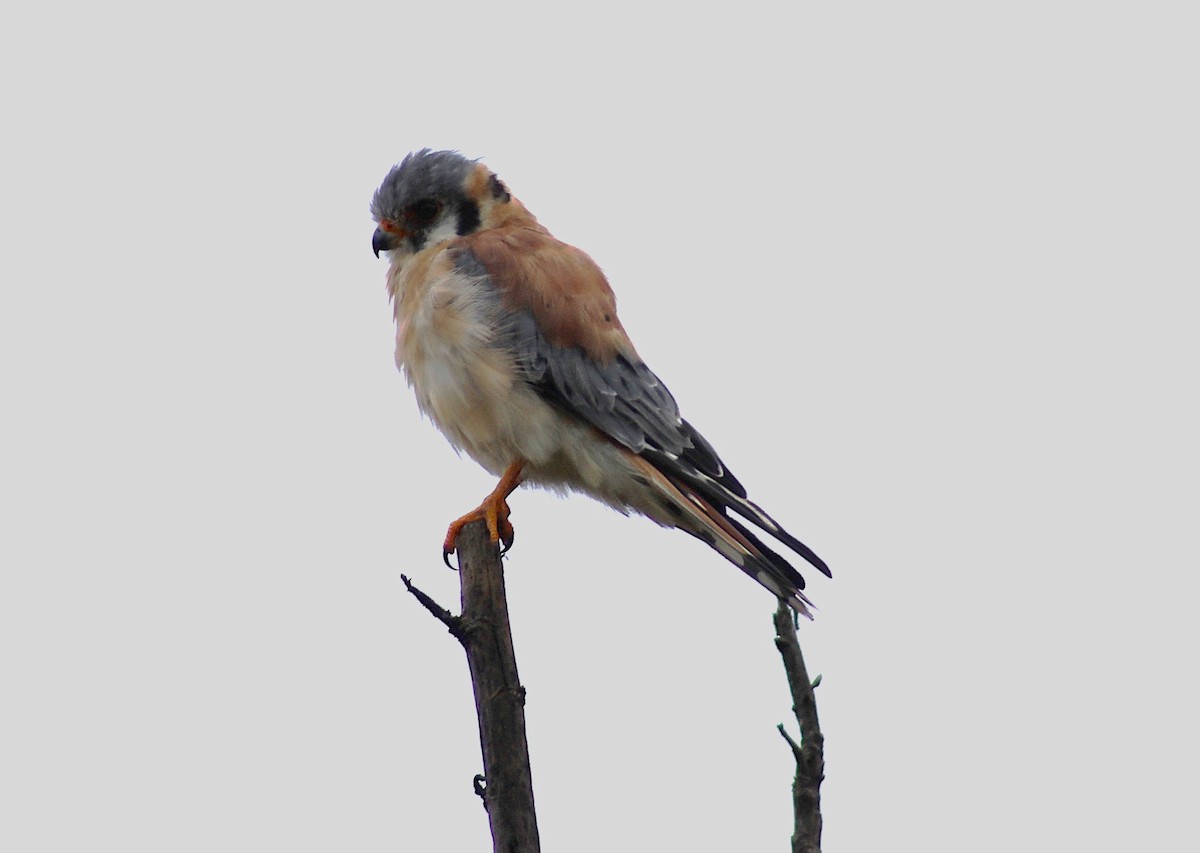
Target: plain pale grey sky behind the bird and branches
[(923, 273)]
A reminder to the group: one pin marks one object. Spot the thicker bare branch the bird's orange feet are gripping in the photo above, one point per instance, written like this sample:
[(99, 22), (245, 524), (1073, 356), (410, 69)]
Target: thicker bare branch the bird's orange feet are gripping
[(483, 629)]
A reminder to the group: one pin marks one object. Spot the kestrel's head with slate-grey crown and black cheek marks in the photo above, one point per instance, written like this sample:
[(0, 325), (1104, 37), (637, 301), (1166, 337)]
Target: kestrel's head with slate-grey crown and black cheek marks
[(433, 197)]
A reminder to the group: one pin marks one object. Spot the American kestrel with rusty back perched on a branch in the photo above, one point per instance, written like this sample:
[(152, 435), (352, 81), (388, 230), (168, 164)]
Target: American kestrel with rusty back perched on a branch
[(512, 343)]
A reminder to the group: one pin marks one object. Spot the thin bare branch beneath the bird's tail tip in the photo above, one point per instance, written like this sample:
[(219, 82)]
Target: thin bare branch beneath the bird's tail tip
[(809, 754)]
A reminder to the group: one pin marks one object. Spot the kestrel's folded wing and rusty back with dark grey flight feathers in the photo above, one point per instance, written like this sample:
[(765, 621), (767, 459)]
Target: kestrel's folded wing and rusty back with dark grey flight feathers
[(562, 329)]
